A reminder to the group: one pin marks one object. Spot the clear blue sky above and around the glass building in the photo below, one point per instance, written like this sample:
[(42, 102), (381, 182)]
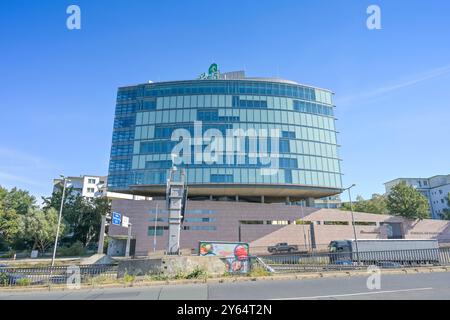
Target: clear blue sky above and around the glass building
[(58, 86)]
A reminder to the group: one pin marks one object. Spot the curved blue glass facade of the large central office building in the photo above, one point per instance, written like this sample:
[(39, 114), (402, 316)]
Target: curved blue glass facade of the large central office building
[(147, 114)]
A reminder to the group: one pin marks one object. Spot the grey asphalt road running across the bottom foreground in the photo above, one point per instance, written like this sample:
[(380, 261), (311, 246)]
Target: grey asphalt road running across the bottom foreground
[(403, 287)]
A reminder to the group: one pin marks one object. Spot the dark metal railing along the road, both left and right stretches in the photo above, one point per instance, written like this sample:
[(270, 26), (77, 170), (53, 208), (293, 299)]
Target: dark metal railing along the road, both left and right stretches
[(294, 262)]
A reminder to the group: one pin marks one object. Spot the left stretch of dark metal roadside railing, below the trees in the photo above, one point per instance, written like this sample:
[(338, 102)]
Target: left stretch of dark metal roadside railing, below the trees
[(10, 276)]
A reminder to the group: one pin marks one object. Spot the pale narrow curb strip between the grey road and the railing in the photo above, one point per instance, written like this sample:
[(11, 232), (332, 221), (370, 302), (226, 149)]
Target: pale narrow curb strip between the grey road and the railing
[(220, 280)]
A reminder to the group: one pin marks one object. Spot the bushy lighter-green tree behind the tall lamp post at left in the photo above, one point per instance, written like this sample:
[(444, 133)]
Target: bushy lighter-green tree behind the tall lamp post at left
[(40, 226)]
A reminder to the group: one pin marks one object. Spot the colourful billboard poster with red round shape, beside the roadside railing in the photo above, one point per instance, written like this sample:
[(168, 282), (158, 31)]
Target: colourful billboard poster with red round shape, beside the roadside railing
[(236, 254)]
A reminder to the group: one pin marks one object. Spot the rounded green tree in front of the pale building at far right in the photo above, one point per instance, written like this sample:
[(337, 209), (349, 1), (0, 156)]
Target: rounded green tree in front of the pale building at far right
[(405, 201)]
